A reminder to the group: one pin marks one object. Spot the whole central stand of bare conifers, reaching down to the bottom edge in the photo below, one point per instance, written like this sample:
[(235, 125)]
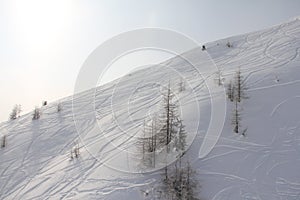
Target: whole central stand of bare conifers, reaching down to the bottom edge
[(165, 134)]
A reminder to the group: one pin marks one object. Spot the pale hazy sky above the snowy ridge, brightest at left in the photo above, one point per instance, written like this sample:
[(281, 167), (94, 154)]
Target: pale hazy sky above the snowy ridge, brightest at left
[(43, 44)]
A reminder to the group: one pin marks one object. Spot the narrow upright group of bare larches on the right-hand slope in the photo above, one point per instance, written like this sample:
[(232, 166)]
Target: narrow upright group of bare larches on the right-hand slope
[(236, 93)]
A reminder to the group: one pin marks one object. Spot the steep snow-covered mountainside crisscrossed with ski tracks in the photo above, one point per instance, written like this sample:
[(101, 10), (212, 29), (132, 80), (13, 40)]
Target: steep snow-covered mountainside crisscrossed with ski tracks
[(106, 122)]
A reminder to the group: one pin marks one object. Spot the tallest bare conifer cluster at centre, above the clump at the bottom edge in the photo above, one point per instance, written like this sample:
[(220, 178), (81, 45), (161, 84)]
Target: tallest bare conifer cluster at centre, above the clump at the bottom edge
[(164, 132)]
